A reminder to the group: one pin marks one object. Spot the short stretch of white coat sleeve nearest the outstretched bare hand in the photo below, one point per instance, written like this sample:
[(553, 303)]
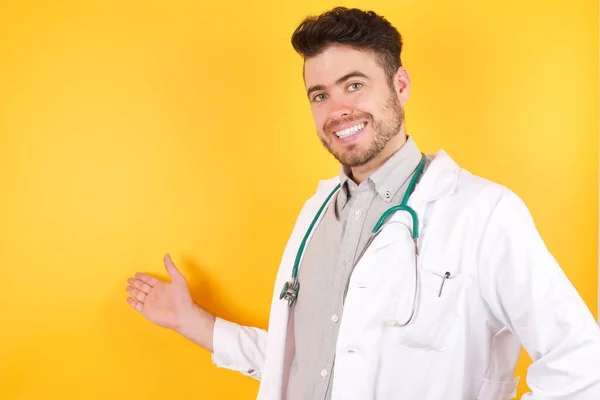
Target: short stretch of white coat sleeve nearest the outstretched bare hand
[(239, 348)]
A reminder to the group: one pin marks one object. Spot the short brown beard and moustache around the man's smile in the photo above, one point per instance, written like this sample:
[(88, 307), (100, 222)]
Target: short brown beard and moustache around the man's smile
[(383, 130)]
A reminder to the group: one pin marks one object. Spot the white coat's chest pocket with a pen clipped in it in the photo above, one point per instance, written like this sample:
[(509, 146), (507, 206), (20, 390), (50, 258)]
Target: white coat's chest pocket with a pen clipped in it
[(438, 308)]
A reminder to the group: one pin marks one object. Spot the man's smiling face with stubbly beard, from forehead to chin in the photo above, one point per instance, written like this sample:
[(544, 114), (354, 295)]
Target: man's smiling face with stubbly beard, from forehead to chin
[(355, 110)]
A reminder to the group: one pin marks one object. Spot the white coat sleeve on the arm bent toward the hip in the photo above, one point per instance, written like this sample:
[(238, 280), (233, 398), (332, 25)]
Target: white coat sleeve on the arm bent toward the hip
[(528, 292)]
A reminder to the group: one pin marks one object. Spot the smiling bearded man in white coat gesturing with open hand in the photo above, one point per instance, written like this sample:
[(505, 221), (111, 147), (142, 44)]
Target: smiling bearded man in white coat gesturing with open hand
[(436, 304)]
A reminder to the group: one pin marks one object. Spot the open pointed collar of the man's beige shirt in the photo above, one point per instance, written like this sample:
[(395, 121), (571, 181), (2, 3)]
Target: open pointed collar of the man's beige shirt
[(389, 178)]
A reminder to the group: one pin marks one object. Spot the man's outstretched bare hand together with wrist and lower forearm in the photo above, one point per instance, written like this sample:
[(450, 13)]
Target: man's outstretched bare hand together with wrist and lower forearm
[(170, 305)]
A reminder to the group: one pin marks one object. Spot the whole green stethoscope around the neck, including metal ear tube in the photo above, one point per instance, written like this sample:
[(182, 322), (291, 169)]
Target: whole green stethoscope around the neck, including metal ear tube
[(292, 287)]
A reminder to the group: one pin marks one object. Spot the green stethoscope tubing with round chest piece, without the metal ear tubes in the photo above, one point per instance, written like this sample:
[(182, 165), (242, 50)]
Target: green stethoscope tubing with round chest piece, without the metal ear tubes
[(291, 288)]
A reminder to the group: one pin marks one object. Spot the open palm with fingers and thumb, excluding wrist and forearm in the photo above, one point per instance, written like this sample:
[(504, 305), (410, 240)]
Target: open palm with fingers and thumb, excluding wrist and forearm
[(163, 303)]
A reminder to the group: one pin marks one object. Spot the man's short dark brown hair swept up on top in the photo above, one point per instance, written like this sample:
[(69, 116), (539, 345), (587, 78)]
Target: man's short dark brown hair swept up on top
[(363, 30)]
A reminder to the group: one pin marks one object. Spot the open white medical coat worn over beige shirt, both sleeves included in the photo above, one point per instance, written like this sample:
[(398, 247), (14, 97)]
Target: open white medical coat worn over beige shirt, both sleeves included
[(505, 290)]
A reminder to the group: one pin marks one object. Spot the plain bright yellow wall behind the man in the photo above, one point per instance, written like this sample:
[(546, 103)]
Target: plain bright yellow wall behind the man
[(131, 129)]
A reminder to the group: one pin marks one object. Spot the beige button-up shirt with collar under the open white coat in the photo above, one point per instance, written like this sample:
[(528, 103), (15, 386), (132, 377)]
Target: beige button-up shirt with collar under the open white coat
[(328, 263)]
